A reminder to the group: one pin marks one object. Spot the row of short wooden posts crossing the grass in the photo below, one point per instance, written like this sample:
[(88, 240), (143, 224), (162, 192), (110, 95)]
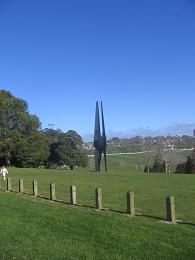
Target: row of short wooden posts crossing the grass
[(170, 203)]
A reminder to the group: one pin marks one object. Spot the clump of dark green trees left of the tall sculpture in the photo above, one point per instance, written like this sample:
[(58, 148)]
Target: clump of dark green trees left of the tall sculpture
[(24, 144)]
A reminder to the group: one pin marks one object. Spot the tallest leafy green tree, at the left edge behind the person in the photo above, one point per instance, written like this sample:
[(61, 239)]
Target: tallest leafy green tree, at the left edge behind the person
[(21, 142)]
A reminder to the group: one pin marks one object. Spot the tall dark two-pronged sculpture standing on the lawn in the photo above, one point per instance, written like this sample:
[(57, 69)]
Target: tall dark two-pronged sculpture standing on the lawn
[(99, 139)]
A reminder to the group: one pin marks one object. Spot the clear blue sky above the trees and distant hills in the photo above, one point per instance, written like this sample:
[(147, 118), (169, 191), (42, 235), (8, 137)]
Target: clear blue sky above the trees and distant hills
[(137, 56)]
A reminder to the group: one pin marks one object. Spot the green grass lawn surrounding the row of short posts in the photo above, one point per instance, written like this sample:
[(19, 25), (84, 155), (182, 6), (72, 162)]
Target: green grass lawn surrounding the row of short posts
[(36, 228)]
